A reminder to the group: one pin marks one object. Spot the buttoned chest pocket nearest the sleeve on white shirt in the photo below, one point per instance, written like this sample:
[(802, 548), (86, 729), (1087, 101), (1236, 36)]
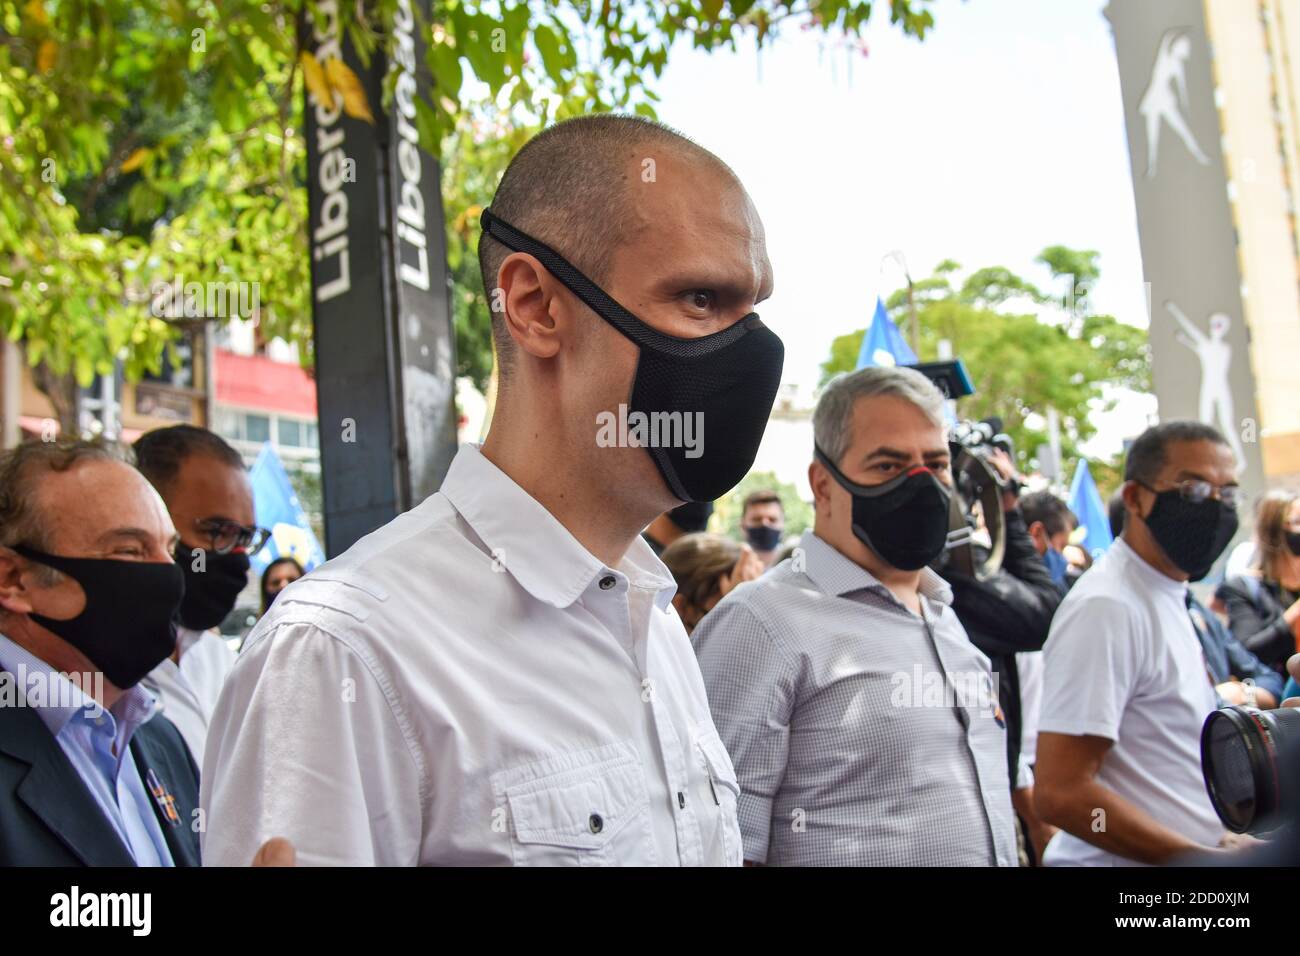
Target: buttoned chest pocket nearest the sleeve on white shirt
[(579, 810)]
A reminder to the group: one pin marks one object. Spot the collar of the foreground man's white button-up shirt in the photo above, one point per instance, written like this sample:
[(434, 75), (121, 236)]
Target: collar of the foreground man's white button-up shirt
[(531, 544)]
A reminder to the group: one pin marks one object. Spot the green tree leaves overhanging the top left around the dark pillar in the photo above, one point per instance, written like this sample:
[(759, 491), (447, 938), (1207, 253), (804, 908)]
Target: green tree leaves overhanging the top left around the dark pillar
[(148, 140)]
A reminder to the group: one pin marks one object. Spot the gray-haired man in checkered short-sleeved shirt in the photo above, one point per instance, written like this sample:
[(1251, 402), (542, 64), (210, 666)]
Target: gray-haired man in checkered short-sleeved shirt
[(863, 723)]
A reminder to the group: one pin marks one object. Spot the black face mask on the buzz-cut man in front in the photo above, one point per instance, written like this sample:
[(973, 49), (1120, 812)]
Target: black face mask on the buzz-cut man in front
[(729, 378)]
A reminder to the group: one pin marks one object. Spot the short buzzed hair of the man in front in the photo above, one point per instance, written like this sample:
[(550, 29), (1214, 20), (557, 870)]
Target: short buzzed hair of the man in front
[(567, 188)]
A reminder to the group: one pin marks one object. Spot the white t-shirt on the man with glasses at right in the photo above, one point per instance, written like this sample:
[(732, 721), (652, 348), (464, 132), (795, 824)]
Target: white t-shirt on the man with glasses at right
[(1124, 663)]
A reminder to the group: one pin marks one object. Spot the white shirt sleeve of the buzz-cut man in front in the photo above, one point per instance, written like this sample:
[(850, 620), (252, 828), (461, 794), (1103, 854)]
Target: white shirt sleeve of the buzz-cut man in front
[(307, 745)]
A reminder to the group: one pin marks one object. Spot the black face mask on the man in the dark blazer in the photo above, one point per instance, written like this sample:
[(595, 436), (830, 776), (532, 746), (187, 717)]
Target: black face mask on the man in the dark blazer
[(128, 626)]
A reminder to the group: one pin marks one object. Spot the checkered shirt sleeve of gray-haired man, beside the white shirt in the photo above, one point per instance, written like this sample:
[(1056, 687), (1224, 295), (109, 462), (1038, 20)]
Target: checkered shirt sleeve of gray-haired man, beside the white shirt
[(749, 678)]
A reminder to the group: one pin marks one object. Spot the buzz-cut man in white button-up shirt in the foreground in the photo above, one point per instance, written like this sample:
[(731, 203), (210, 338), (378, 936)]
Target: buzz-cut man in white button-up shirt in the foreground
[(500, 677)]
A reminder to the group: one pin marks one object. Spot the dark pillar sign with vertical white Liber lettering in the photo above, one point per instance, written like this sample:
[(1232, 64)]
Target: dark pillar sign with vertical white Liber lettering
[(382, 310)]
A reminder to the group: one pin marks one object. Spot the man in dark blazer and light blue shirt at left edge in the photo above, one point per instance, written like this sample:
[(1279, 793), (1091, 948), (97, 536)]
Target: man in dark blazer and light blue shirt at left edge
[(90, 772)]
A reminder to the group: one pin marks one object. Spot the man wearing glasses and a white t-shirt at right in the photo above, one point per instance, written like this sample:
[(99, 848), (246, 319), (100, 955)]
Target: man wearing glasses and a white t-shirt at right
[(1126, 686)]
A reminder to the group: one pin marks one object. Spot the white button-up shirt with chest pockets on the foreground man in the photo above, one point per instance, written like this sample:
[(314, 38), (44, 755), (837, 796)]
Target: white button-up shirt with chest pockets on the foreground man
[(470, 686)]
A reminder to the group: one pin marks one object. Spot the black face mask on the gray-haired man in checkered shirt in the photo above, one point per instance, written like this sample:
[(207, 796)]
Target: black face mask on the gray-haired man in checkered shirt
[(904, 521)]
